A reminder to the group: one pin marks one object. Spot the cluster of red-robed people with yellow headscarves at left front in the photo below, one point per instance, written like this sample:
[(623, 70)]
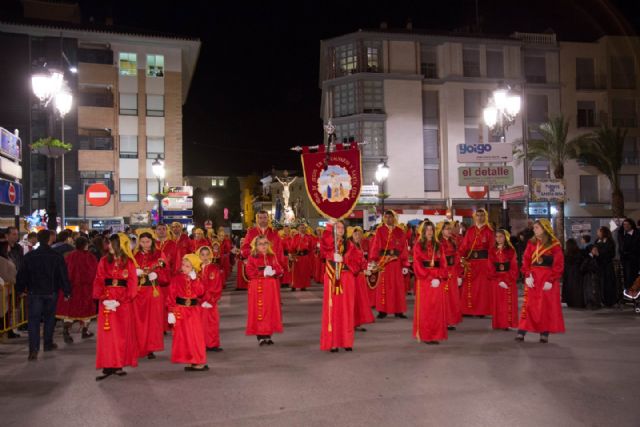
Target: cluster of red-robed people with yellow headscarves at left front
[(167, 282)]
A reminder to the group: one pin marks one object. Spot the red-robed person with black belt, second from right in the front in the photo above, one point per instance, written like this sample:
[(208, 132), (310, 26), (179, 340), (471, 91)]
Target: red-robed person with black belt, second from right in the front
[(502, 278)]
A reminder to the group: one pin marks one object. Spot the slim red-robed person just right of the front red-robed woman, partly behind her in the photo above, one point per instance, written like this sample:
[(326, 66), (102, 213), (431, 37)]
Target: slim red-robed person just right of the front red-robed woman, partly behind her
[(452, 269)]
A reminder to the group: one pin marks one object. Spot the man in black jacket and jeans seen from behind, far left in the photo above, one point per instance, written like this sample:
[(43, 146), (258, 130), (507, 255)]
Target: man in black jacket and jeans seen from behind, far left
[(42, 275)]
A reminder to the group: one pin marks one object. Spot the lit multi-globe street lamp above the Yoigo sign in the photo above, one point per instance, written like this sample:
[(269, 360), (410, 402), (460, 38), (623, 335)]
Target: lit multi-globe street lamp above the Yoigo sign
[(500, 113)]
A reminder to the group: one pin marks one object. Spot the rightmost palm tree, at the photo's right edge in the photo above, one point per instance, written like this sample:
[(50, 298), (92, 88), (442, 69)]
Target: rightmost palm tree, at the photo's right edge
[(604, 151)]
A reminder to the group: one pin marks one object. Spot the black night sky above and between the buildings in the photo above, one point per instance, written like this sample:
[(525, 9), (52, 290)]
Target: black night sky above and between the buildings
[(255, 91)]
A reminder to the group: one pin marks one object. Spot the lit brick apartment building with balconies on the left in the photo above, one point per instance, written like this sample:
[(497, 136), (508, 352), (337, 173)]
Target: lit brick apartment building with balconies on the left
[(128, 89)]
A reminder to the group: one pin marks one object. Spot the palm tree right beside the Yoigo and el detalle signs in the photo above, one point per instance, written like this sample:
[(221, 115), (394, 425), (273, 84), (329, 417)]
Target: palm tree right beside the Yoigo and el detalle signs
[(554, 147)]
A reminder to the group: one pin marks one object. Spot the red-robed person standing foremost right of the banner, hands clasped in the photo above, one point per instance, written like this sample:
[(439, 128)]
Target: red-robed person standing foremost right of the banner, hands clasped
[(429, 319)]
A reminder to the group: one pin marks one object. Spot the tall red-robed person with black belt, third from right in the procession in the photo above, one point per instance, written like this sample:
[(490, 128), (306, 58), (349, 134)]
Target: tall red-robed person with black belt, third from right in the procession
[(477, 294)]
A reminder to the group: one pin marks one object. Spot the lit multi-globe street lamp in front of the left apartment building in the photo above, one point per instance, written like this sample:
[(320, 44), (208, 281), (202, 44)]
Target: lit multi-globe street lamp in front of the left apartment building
[(47, 87)]
